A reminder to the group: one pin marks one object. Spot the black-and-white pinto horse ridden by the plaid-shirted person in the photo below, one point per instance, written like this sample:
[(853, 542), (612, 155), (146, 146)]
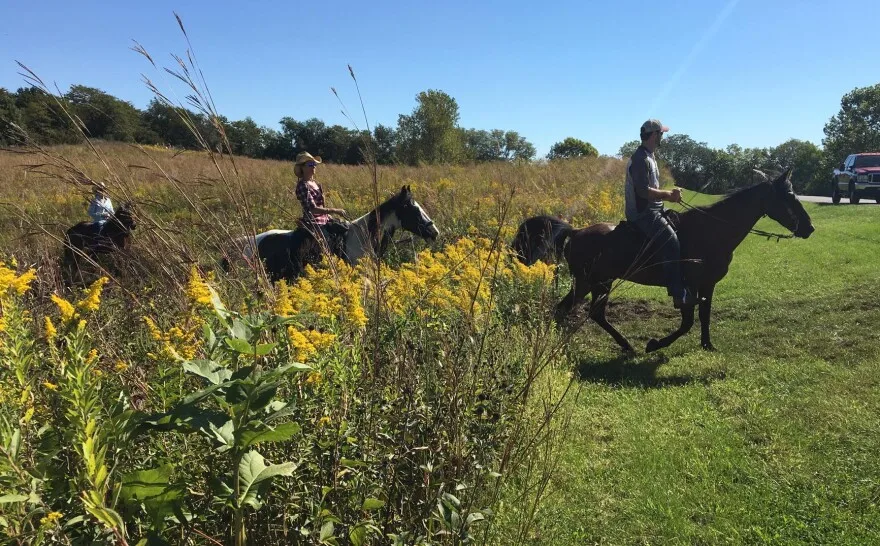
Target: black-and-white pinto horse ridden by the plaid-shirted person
[(286, 252)]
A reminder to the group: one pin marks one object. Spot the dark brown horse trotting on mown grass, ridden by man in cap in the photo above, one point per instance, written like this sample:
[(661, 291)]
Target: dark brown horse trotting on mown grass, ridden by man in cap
[(601, 253)]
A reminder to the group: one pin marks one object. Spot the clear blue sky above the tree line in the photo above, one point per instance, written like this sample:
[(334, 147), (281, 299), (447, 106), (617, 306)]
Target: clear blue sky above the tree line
[(746, 72)]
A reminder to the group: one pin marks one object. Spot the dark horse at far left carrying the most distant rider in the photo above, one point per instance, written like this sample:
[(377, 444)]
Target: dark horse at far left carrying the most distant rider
[(88, 240)]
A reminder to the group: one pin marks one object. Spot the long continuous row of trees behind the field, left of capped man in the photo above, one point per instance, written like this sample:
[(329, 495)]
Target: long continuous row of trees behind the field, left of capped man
[(430, 134)]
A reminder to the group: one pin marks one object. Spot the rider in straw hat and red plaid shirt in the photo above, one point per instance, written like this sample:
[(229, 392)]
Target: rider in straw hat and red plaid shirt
[(316, 215)]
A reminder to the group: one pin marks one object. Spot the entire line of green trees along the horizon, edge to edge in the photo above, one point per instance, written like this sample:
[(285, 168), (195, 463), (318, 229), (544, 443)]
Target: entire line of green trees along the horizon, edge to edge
[(431, 134)]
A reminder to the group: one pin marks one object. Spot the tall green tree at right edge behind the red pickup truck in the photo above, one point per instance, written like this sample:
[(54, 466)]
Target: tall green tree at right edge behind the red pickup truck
[(855, 128)]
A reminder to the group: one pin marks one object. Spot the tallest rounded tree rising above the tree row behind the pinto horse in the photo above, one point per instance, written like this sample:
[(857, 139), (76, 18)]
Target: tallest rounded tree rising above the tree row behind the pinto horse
[(431, 133)]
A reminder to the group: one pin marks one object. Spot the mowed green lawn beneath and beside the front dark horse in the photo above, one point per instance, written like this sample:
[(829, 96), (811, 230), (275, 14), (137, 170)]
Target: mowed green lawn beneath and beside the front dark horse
[(774, 439)]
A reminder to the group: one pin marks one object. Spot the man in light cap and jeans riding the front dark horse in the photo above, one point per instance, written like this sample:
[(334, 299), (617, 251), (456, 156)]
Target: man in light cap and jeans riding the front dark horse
[(644, 208)]
